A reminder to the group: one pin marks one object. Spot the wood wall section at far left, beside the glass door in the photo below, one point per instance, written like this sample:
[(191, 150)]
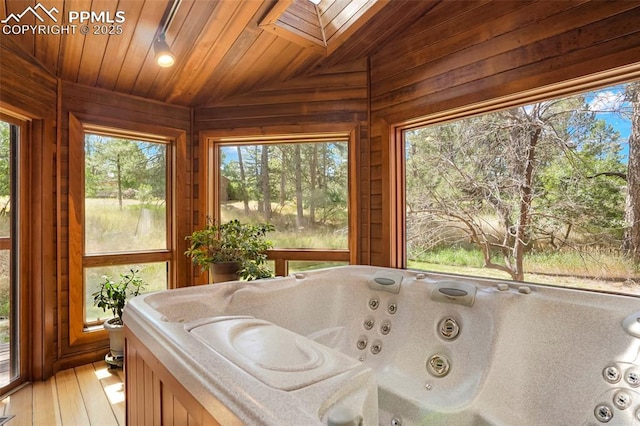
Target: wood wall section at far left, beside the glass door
[(27, 90)]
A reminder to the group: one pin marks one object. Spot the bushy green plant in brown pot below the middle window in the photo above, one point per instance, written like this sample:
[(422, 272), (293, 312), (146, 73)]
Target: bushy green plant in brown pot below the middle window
[(231, 250)]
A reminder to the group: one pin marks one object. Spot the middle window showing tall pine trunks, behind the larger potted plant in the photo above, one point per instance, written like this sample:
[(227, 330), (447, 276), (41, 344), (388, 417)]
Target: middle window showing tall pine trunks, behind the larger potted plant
[(298, 184)]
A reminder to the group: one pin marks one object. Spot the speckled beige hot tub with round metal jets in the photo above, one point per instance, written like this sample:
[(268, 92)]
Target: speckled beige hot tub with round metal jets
[(369, 345)]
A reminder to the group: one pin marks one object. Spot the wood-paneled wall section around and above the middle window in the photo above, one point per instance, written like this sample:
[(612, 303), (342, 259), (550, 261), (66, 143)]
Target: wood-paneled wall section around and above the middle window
[(336, 96)]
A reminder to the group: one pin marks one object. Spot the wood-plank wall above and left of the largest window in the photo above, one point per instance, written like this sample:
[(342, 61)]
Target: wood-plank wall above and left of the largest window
[(469, 52)]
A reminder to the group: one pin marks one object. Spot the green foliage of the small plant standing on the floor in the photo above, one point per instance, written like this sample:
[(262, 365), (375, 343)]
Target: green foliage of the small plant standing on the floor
[(112, 295)]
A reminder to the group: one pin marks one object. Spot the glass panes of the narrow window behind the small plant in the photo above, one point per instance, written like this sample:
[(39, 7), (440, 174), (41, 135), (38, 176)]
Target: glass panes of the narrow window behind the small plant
[(125, 211)]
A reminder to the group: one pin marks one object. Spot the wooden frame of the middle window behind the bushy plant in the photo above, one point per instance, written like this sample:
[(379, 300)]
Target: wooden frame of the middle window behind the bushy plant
[(211, 140)]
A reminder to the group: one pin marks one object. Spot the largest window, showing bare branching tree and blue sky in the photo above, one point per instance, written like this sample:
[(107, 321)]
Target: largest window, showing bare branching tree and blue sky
[(535, 193)]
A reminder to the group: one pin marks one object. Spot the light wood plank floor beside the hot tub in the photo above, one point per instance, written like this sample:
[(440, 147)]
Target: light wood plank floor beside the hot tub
[(88, 395)]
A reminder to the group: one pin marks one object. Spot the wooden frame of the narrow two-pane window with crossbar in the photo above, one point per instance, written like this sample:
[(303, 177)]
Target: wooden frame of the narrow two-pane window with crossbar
[(79, 125)]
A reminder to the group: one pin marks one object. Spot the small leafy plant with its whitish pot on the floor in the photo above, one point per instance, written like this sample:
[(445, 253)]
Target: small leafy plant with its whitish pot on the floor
[(112, 295)]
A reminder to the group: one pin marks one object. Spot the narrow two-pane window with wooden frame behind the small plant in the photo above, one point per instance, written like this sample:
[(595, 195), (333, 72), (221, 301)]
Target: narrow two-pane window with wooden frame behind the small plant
[(125, 215)]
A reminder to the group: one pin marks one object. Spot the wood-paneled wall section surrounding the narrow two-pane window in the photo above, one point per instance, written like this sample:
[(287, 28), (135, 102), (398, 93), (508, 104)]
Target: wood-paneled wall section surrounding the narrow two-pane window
[(97, 106)]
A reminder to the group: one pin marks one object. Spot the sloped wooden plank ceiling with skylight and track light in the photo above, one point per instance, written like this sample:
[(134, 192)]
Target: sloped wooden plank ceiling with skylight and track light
[(223, 48)]
